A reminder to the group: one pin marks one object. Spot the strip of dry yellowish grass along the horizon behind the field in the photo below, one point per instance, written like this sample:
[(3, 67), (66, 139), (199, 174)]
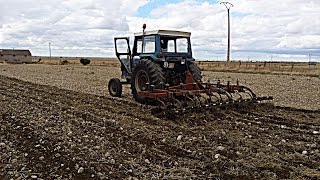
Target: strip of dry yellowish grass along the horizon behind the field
[(288, 68)]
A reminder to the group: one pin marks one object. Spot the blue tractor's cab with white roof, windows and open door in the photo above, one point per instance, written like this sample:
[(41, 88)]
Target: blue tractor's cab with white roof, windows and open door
[(168, 48)]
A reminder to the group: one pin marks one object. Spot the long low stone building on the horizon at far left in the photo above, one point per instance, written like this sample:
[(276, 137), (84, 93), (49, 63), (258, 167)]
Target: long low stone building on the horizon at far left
[(15, 56)]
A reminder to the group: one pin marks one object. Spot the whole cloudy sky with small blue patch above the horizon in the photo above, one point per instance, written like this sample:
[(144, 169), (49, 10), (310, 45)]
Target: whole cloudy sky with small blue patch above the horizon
[(278, 30)]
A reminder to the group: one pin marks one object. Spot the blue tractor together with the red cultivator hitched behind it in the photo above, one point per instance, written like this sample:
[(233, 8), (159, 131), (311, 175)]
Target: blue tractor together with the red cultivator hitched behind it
[(160, 68)]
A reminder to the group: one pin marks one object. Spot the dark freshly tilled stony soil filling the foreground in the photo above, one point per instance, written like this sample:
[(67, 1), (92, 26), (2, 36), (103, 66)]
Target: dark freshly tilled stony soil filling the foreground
[(50, 132)]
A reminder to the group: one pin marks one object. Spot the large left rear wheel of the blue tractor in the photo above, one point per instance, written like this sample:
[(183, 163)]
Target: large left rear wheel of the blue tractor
[(145, 72)]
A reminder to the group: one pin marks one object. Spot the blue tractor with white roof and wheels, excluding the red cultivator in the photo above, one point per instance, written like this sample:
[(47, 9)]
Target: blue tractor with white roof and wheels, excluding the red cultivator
[(158, 59)]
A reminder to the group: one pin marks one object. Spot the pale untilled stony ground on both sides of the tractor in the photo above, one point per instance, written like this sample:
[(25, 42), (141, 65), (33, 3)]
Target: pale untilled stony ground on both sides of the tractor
[(301, 92)]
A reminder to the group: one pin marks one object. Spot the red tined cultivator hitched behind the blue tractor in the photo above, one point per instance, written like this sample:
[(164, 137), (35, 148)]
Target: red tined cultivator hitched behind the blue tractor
[(197, 96)]
